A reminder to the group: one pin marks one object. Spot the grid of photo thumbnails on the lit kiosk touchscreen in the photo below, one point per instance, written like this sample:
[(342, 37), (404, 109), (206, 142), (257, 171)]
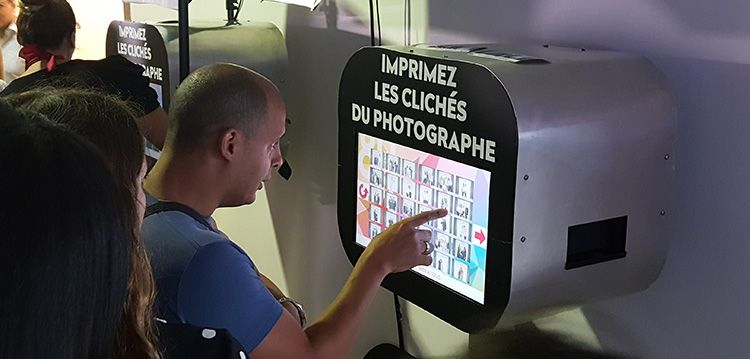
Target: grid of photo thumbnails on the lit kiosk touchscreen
[(400, 188)]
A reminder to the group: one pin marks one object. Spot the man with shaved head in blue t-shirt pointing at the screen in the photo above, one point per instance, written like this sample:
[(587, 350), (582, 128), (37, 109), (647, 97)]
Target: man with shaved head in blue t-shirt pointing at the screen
[(222, 145)]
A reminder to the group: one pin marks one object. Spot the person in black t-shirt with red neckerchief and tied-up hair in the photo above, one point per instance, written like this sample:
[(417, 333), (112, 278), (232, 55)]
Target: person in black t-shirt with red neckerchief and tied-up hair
[(46, 30)]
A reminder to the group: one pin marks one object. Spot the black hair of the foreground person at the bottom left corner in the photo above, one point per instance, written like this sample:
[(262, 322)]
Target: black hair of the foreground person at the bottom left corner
[(65, 243)]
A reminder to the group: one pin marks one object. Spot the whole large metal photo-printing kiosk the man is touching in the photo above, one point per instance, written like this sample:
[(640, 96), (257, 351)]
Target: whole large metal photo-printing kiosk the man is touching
[(555, 165)]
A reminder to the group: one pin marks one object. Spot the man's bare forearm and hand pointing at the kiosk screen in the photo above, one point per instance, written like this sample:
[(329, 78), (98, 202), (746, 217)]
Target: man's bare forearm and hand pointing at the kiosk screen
[(397, 249)]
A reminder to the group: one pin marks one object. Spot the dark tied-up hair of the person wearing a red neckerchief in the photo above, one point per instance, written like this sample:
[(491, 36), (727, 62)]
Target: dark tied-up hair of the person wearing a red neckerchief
[(46, 23)]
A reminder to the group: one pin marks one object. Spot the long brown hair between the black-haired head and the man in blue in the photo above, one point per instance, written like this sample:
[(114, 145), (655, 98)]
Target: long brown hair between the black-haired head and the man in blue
[(109, 123)]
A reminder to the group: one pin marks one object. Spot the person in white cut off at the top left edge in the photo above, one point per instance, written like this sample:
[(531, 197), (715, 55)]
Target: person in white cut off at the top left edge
[(13, 66)]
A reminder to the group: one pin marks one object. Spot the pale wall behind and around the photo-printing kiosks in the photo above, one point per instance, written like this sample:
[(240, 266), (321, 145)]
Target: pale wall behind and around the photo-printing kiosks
[(696, 309)]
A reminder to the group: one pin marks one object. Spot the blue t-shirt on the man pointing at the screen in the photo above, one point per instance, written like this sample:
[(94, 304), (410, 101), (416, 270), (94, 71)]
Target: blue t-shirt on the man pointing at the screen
[(204, 279)]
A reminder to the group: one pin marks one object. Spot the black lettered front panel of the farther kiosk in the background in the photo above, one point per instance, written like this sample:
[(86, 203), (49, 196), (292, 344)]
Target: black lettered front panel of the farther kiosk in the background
[(143, 45)]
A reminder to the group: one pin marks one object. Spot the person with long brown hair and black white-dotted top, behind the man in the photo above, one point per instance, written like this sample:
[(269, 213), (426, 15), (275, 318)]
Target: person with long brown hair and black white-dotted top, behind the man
[(109, 124)]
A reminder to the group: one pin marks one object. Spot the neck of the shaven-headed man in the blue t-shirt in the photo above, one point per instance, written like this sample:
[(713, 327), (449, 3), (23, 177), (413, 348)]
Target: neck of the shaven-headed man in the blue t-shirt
[(178, 180)]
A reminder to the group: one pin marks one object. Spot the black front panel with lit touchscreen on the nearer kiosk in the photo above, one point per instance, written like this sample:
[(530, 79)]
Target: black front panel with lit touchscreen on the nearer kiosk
[(419, 132)]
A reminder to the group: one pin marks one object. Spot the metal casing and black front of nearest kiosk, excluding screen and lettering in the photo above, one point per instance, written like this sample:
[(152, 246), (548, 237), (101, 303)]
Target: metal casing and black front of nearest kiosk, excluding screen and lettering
[(580, 180)]
